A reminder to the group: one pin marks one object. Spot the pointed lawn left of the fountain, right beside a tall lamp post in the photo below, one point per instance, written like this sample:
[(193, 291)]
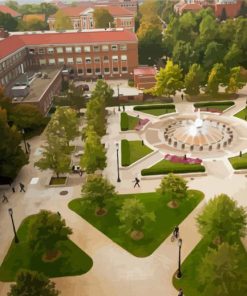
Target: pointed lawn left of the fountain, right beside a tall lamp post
[(131, 151)]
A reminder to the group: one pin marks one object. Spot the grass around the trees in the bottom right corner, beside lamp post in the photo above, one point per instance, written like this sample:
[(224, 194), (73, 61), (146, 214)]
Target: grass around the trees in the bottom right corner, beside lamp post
[(189, 282)]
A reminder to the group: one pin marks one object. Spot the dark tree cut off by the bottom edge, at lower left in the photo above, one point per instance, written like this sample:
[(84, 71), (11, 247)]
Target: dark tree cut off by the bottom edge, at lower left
[(32, 283)]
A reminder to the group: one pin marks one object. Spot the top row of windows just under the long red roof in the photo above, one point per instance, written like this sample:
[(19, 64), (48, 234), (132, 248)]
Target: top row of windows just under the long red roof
[(79, 49)]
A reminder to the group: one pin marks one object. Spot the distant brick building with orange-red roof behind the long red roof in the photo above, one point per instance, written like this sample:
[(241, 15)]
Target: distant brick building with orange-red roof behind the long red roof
[(82, 16)]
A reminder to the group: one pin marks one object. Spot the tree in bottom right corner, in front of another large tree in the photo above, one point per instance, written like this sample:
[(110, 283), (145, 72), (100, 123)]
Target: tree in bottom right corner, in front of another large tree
[(219, 272)]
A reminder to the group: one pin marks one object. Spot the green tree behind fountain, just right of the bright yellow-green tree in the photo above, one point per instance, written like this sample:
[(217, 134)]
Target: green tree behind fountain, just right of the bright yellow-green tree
[(193, 80)]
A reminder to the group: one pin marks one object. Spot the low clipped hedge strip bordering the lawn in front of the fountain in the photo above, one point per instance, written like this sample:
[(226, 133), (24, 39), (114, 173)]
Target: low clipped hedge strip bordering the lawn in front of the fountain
[(176, 169)]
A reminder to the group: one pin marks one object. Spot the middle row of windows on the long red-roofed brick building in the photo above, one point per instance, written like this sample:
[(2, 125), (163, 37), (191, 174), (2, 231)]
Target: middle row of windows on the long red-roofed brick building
[(79, 60)]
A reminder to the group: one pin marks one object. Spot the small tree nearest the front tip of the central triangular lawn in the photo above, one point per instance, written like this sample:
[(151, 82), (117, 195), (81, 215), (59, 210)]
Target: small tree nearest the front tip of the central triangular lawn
[(134, 217)]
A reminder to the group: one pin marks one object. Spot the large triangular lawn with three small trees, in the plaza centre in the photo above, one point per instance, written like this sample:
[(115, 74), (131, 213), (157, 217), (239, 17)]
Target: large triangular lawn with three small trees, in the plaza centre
[(156, 232)]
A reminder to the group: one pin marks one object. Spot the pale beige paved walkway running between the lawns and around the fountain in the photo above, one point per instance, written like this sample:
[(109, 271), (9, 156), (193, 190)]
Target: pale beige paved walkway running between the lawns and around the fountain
[(115, 272)]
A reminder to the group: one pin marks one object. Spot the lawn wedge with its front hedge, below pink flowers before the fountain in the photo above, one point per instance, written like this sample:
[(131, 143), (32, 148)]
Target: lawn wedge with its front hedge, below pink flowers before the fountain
[(166, 167)]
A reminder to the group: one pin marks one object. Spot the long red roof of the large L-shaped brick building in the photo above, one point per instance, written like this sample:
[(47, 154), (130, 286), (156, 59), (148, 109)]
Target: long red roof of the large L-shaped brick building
[(15, 42)]
